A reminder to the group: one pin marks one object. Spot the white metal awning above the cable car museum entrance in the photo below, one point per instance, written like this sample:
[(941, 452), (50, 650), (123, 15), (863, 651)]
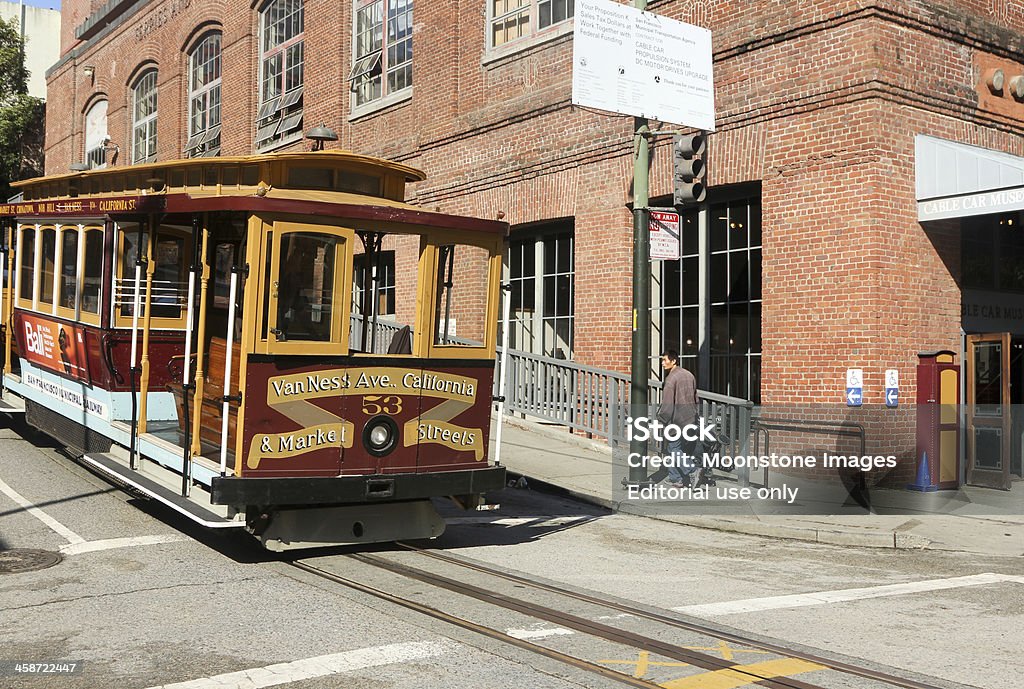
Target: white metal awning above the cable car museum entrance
[(957, 181)]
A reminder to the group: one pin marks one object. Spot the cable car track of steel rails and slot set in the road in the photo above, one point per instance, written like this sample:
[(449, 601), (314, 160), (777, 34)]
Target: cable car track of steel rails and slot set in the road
[(591, 628)]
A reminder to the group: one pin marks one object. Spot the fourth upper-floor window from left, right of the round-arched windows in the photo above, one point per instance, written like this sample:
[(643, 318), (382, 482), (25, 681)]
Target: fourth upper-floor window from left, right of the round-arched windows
[(280, 117)]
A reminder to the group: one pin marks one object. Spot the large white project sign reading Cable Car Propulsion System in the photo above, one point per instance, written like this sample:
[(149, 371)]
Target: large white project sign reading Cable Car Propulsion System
[(635, 63)]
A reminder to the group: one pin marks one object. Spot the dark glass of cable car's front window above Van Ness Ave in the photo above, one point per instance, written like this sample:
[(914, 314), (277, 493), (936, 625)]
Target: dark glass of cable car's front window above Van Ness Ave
[(307, 282)]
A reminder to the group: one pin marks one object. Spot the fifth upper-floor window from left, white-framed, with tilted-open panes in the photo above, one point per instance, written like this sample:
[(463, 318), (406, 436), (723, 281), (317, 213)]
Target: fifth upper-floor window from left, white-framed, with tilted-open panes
[(382, 55)]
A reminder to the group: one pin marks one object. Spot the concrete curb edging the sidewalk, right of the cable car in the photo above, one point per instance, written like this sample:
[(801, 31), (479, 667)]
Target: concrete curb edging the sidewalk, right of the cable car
[(868, 539)]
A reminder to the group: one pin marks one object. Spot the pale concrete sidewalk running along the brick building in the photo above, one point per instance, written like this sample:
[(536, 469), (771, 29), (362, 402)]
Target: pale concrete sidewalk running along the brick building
[(549, 456)]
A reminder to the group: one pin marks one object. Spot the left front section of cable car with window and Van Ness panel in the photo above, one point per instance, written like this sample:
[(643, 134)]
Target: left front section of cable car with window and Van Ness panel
[(295, 421)]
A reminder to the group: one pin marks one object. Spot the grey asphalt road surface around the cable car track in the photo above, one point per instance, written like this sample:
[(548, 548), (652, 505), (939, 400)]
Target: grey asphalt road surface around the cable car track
[(143, 599)]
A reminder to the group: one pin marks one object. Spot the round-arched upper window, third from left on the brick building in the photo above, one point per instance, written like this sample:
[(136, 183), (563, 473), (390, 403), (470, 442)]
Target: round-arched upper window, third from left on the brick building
[(204, 99)]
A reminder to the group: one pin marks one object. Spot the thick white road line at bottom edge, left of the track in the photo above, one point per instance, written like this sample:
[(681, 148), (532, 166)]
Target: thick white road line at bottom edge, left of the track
[(286, 673)]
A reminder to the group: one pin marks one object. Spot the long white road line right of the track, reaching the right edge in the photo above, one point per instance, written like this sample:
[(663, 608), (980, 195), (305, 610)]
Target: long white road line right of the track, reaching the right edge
[(843, 595)]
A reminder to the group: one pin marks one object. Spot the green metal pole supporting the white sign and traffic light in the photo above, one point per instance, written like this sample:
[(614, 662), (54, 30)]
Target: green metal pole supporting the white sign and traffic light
[(641, 366)]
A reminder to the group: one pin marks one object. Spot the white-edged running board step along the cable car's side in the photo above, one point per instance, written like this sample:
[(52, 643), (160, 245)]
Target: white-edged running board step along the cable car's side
[(148, 482)]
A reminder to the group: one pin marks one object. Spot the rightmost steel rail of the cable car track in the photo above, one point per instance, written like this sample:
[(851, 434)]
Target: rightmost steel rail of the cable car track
[(850, 669)]
